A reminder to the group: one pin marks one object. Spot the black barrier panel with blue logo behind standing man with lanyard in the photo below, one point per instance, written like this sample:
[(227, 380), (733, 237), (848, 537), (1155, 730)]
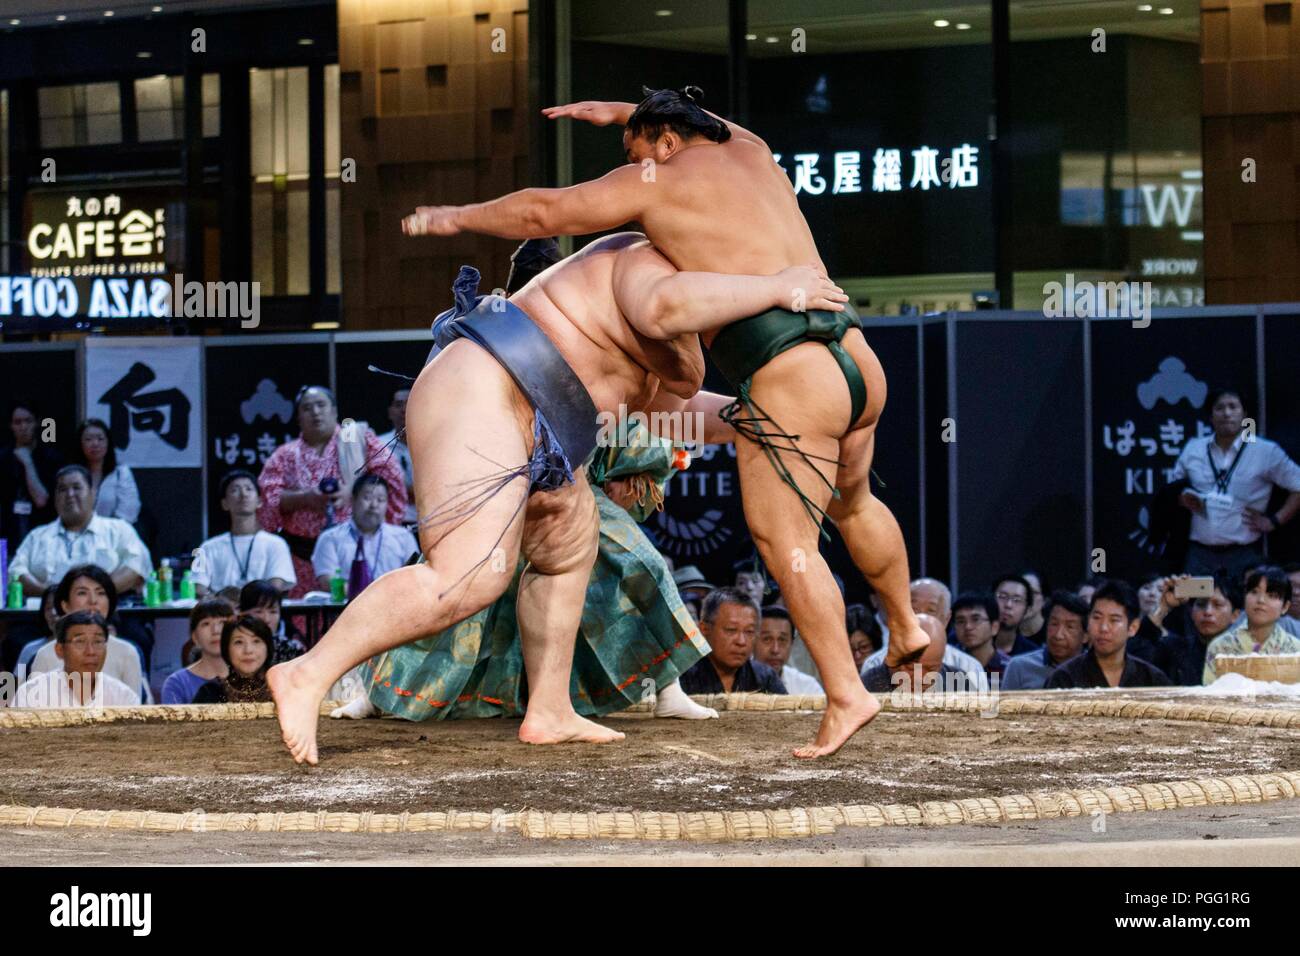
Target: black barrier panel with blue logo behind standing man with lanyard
[(1150, 390)]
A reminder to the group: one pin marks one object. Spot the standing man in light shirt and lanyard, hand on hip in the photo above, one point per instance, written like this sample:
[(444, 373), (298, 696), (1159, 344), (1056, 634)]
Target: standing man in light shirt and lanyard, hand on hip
[(1229, 483)]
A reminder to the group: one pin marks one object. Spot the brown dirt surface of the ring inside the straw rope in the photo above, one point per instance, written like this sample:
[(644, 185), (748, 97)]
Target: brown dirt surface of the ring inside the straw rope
[(742, 762)]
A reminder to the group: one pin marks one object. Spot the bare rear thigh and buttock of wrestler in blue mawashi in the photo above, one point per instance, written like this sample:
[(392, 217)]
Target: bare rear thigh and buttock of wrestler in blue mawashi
[(465, 431)]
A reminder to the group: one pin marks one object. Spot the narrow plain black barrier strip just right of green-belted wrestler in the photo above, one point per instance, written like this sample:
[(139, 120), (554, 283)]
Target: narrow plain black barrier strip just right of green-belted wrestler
[(937, 511)]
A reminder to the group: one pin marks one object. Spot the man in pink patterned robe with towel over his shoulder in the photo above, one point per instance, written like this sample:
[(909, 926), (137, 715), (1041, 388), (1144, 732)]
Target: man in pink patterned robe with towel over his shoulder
[(293, 501)]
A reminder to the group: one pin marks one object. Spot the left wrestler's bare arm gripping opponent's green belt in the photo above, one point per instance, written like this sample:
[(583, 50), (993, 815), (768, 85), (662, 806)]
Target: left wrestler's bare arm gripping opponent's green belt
[(664, 304)]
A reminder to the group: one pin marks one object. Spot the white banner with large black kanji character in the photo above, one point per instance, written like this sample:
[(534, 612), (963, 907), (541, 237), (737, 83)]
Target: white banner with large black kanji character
[(149, 391)]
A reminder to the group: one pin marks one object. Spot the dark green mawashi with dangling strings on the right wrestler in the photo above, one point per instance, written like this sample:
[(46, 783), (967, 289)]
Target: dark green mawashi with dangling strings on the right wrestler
[(744, 348)]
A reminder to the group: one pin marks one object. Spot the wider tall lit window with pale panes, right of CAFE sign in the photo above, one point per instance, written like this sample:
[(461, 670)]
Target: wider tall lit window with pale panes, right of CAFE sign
[(280, 162)]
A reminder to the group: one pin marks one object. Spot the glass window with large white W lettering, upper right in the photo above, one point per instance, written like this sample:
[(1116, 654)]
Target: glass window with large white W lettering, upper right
[(1107, 148)]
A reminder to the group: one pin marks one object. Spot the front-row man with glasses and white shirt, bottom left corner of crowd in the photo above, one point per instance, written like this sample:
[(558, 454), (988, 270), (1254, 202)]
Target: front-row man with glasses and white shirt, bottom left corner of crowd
[(81, 642)]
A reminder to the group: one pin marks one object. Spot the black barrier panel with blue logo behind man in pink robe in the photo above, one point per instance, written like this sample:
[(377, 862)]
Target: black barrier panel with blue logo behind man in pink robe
[(250, 406)]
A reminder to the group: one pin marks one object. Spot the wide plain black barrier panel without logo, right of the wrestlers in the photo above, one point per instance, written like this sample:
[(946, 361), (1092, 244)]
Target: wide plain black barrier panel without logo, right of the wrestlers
[(1020, 455)]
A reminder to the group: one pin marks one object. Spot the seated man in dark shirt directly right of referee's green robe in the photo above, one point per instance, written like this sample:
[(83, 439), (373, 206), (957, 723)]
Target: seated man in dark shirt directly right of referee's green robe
[(730, 622)]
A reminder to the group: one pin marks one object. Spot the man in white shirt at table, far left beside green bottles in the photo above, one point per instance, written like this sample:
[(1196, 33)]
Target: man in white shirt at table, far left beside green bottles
[(80, 538)]
